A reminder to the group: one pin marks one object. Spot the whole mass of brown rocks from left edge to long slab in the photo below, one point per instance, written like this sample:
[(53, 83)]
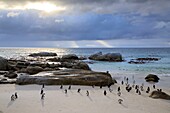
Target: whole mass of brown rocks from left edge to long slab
[(27, 71)]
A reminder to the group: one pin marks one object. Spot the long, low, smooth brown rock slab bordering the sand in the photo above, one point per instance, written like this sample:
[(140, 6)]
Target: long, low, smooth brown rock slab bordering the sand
[(67, 77)]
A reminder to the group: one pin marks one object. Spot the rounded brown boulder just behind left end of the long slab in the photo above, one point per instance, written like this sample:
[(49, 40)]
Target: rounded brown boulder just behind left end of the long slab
[(33, 69)]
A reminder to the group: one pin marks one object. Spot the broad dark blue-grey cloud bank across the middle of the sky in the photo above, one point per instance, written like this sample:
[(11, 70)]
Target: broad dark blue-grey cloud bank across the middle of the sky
[(89, 26)]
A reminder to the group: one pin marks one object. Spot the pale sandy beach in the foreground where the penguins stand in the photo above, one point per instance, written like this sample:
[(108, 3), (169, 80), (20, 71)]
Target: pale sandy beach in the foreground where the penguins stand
[(56, 101)]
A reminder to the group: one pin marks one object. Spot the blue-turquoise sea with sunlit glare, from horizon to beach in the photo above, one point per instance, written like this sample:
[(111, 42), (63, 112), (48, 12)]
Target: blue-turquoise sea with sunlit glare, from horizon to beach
[(117, 69)]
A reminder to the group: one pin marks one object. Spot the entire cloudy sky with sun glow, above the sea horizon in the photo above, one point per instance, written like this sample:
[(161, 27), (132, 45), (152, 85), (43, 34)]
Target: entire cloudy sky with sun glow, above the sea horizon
[(84, 23)]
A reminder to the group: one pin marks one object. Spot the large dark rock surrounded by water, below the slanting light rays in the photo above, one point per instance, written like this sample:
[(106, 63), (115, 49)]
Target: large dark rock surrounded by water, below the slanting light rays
[(115, 57)]
